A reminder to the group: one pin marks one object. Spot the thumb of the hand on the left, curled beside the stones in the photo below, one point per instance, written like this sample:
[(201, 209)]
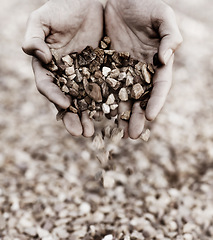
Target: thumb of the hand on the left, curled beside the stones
[(34, 41)]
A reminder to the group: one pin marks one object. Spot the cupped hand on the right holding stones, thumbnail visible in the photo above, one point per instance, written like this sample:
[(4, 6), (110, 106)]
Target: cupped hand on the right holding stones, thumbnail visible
[(144, 28)]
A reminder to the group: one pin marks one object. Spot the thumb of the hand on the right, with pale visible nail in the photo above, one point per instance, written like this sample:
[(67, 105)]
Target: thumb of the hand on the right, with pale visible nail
[(169, 34)]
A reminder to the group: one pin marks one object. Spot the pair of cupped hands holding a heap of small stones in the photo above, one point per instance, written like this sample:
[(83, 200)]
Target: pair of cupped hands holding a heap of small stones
[(139, 27)]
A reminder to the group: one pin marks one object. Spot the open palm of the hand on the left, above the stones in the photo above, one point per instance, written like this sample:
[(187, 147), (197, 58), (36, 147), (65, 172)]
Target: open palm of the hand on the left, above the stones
[(73, 25)]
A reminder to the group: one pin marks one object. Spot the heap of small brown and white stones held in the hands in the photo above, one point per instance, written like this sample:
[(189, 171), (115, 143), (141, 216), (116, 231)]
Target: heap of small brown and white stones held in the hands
[(99, 79)]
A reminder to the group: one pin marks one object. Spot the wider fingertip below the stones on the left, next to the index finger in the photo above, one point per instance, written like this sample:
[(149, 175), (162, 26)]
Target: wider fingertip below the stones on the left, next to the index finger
[(73, 124)]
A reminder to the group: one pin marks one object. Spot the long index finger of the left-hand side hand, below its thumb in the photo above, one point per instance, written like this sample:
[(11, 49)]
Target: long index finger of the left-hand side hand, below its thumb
[(46, 87)]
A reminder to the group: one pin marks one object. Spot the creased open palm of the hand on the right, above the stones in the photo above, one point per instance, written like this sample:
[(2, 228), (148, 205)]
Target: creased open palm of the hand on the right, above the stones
[(131, 30)]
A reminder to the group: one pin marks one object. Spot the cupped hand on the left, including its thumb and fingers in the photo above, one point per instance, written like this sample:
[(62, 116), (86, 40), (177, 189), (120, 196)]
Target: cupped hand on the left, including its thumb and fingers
[(65, 26)]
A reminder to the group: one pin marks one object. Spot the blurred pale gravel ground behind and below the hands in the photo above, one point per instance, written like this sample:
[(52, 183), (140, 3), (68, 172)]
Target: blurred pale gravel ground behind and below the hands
[(50, 182)]
